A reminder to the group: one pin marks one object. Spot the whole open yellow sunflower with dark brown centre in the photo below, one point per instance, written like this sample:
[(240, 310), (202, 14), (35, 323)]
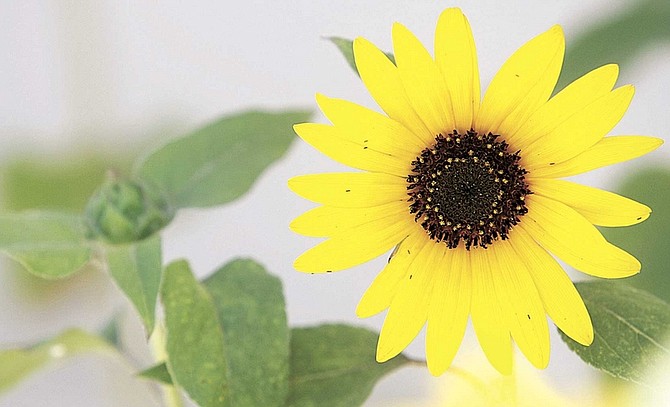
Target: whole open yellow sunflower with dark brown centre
[(469, 193)]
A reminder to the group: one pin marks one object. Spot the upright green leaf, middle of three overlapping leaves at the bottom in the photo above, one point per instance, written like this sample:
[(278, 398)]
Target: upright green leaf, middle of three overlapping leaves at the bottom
[(252, 313)]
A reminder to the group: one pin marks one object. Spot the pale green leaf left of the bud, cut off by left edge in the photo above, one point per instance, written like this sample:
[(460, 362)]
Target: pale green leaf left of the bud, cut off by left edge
[(48, 244)]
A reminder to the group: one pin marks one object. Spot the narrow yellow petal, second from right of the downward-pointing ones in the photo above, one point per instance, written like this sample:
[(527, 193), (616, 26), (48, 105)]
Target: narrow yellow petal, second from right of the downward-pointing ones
[(520, 302)]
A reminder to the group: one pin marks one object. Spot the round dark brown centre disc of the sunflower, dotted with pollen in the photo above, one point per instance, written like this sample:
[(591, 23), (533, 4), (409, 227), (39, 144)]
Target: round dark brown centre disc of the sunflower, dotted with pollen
[(467, 187)]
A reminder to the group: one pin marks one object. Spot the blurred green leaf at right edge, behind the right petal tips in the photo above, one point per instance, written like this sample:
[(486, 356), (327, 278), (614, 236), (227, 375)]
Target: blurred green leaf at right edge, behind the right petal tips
[(648, 241)]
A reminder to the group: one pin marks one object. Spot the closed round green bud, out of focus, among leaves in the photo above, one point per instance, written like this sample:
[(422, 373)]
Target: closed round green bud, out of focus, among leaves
[(123, 210)]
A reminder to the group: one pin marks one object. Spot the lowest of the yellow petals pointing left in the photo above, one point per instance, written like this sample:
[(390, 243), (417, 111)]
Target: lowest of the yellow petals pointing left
[(356, 245)]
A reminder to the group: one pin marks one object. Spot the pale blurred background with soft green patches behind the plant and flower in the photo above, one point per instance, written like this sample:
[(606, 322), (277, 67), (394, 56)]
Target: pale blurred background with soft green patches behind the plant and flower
[(87, 86)]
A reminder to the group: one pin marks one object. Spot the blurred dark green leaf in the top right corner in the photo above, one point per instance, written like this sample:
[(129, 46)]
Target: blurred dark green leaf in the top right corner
[(617, 39)]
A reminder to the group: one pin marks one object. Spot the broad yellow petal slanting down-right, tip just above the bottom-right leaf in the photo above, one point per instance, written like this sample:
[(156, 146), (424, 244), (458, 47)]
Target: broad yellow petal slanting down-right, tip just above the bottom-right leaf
[(564, 232)]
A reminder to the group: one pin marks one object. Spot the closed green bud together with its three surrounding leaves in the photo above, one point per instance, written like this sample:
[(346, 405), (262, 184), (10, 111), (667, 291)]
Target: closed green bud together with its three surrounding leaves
[(211, 166)]
